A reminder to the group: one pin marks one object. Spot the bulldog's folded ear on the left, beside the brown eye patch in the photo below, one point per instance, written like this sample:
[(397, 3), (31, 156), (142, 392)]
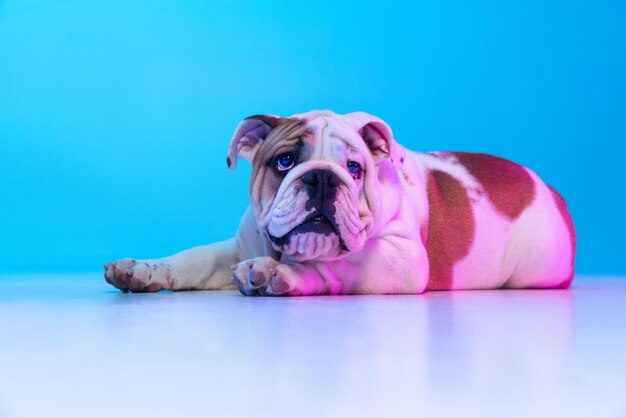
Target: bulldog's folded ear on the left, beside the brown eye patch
[(248, 135)]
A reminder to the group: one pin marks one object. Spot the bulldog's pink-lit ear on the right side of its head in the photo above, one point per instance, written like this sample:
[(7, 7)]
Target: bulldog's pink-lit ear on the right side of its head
[(378, 137)]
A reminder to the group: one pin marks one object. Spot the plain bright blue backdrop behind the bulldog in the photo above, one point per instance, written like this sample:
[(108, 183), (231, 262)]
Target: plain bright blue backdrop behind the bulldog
[(115, 116)]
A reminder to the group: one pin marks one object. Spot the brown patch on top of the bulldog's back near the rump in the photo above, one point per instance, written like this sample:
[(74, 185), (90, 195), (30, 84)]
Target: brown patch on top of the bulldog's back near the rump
[(509, 186)]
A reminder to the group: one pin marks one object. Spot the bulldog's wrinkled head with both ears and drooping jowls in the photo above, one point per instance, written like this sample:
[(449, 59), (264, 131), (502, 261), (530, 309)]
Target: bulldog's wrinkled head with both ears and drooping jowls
[(315, 180)]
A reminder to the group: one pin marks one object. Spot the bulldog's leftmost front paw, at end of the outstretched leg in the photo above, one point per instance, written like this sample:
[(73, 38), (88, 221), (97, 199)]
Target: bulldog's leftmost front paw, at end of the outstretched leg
[(138, 276)]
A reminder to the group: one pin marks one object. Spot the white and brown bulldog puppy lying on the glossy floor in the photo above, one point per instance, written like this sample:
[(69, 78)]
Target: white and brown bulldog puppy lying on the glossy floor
[(337, 206)]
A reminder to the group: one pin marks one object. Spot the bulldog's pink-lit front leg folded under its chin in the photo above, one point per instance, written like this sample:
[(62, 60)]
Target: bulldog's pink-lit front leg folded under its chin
[(391, 265)]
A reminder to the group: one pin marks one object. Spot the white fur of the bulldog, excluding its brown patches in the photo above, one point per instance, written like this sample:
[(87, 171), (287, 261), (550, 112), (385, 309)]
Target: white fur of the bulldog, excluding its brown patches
[(387, 254)]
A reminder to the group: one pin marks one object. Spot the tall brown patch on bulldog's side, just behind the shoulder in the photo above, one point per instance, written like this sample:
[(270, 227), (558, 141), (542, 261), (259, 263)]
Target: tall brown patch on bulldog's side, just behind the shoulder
[(450, 229)]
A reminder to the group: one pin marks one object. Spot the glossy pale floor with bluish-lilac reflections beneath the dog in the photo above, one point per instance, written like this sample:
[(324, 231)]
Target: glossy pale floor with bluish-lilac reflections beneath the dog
[(71, 346)]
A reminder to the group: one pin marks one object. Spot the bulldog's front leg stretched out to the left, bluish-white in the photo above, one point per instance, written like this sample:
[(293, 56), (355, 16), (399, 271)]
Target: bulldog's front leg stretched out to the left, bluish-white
[(200, 268)]
